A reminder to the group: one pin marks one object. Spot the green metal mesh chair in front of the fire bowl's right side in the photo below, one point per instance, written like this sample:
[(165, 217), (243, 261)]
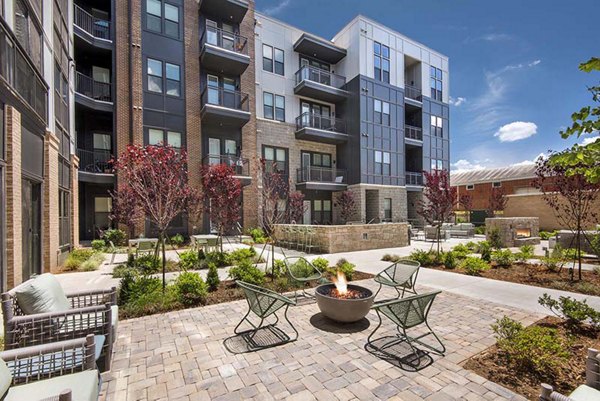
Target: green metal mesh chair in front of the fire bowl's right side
[(405, 313)]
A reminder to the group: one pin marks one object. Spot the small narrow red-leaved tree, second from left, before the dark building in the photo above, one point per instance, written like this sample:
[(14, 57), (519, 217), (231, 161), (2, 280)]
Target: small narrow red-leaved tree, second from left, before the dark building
[(222, 192)]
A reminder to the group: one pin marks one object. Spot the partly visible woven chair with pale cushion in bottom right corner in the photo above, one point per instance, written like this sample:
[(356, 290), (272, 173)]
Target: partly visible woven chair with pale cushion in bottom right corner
[(588, 391)]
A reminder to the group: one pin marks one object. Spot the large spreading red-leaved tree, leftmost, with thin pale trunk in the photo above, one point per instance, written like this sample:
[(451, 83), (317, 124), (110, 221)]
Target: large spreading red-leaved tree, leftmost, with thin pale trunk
[(153, 180)]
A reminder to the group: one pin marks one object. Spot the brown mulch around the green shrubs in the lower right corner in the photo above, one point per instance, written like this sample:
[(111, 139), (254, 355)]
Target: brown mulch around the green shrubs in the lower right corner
[(492, 364)]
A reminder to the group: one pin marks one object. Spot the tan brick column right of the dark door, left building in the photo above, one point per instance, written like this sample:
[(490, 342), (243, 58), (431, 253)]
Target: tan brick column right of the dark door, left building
[(51, 222)]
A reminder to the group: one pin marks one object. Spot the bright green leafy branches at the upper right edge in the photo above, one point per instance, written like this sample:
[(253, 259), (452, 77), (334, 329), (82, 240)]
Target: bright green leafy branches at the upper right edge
[(580, 159)]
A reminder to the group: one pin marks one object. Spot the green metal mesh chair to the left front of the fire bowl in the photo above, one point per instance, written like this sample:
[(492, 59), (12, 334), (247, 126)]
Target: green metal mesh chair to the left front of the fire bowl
[(264, 303)]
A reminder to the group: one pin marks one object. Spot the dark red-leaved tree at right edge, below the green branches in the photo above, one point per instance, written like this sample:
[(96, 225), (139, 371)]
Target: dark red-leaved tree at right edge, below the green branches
[(571, 197)]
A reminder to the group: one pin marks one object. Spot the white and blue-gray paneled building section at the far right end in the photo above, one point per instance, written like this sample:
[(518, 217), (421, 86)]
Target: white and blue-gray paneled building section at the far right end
[(366, 111)]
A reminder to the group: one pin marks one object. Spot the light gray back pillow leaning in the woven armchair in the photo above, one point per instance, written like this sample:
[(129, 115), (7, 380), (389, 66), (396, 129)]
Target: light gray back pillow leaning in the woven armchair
[(42, 294)]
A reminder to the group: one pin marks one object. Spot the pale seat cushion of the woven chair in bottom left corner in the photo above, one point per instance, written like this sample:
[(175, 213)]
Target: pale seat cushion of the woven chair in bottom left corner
[(84, 387)]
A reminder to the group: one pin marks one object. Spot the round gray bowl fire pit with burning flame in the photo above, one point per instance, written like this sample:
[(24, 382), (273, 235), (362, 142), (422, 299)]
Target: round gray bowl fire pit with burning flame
[(343, 302)]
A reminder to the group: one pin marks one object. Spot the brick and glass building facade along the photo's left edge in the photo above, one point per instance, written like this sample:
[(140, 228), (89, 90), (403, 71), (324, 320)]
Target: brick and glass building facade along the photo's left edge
[(38, 184)]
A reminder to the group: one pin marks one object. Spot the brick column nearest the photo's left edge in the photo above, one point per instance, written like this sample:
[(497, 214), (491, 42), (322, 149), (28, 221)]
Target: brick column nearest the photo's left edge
[(14, 211)]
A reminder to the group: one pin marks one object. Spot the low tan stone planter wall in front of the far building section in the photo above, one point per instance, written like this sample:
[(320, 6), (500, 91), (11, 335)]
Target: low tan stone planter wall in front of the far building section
[(348, 238)]
